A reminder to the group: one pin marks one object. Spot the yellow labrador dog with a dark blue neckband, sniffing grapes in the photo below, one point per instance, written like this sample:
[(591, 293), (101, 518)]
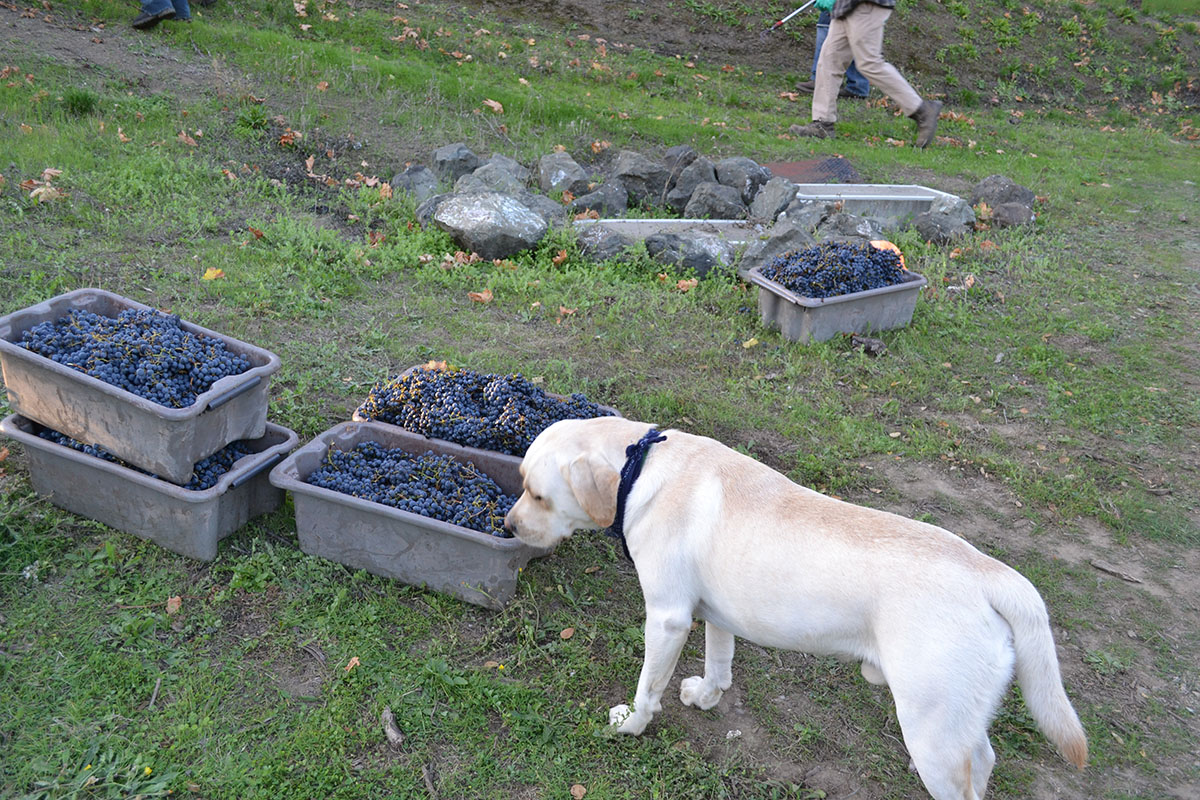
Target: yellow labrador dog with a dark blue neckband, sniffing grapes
[(719, 537)]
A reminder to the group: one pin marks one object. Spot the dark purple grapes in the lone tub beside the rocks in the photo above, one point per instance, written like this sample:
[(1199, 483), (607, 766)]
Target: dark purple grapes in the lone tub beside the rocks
[(833, 269)]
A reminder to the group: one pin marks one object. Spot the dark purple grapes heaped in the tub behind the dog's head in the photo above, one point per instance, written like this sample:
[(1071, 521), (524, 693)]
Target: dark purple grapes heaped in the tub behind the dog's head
[(501, 413)]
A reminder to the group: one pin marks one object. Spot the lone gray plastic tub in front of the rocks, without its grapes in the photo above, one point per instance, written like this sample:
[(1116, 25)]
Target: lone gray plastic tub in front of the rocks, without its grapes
[(803, 320)]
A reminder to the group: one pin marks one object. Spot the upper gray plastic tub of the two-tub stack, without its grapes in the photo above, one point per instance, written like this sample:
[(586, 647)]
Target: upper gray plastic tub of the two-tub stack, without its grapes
[(159, 440)]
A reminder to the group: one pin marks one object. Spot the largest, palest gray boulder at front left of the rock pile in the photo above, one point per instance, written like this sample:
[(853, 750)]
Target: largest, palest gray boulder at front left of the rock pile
[(493, 225)]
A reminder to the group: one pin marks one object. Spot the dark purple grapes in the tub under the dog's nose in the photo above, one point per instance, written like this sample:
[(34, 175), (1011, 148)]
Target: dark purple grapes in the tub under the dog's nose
[(434, 486)]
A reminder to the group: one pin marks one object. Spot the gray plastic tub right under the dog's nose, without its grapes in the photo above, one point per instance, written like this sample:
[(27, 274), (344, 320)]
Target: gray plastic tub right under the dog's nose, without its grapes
[(412, 549)]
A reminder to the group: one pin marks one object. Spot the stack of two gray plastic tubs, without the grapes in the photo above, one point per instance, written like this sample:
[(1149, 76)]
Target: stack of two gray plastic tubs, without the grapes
[(159, 446)]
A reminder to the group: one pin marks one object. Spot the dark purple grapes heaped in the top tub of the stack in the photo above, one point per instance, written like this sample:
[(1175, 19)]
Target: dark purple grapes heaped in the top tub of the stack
[(141, 351)]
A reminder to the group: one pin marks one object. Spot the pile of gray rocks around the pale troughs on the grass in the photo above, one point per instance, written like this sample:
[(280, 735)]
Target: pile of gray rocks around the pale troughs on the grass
[(493, 212)]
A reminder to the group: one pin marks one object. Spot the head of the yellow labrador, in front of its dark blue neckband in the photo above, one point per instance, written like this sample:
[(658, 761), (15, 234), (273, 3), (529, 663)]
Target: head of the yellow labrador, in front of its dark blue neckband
[(571, 476)]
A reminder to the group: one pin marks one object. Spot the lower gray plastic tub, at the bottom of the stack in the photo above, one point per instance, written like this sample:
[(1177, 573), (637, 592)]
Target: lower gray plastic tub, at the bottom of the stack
[(183, 521)]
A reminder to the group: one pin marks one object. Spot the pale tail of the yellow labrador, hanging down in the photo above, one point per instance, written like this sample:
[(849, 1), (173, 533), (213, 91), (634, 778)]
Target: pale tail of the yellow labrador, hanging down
[(1037, 665)]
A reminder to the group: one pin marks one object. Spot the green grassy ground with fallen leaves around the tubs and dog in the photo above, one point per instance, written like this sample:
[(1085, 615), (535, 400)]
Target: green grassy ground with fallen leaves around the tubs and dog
[(1042, 404)]
